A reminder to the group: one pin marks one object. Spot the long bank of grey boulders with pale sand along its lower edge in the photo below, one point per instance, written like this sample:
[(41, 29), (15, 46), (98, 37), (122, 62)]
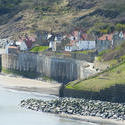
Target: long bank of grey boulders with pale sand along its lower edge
[(107, 112)]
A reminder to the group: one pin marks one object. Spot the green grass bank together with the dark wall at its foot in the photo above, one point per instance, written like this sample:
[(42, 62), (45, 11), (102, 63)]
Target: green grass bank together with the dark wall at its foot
[(106, 86)]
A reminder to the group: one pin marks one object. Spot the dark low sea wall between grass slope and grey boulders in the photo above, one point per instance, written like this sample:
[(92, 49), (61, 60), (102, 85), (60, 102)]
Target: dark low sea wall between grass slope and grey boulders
[(113, 94)]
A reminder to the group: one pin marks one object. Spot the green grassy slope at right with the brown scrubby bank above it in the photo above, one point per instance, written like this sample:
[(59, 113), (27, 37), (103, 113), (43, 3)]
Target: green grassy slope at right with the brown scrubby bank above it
[(108, 78)]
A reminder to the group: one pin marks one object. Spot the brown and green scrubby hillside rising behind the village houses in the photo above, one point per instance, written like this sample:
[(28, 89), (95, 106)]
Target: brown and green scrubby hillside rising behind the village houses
[(31, 16)]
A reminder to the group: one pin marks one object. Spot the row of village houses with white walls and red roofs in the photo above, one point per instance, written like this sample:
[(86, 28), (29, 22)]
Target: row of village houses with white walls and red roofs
[(75, 41)]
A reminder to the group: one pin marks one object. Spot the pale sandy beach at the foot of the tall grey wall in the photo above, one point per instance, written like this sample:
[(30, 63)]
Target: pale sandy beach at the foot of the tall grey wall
[(25, 84)]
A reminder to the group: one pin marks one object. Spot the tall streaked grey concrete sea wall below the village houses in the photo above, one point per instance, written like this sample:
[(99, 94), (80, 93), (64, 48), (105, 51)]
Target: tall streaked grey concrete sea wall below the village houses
[(60, 69)]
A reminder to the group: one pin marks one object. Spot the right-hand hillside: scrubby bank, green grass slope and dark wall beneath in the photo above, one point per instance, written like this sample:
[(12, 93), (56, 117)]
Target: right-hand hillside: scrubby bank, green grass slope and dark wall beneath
[(108, 85)]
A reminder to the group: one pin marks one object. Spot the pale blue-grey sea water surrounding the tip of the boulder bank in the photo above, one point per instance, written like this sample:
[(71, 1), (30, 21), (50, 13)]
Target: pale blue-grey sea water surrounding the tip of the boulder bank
[(12, 114)]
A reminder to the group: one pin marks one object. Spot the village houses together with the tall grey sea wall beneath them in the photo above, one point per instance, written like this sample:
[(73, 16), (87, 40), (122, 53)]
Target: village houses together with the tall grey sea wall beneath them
[(62, 57)]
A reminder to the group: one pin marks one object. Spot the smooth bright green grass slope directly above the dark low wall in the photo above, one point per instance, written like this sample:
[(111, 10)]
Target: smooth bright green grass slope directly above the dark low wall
[(101, 82)]
